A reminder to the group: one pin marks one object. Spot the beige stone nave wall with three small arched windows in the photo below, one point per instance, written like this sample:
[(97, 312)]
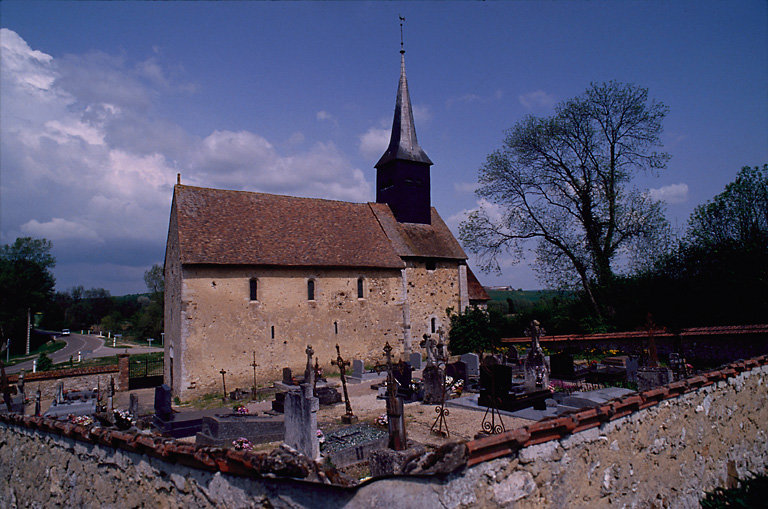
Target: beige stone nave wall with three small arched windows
[(221, 327)]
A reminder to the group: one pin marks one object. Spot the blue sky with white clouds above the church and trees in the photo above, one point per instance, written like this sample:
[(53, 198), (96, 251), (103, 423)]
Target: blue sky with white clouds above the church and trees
[(103, 103)]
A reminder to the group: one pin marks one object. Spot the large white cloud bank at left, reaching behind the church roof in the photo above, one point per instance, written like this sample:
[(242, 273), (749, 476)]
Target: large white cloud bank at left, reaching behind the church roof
[(85, 156)]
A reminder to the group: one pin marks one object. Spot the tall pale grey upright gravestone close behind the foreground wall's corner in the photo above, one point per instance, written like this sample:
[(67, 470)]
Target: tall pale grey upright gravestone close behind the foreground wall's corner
[(301, 421)]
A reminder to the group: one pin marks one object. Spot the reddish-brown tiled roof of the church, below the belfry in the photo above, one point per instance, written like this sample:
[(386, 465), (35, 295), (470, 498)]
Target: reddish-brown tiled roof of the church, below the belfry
[(237, 227)]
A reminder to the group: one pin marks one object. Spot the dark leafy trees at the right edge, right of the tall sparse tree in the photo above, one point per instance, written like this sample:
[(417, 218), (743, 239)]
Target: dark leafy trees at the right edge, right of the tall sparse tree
[(718, 274)]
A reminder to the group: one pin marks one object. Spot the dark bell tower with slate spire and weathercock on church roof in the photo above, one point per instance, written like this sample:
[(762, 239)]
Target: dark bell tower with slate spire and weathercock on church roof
[(402, 173)]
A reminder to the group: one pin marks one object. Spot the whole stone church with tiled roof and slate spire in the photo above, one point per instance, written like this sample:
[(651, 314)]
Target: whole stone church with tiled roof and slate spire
[(253, 274)]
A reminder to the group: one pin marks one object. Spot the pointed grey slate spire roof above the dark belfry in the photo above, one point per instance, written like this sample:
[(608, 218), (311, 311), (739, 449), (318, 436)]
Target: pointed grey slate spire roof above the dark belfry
[(403, 144)]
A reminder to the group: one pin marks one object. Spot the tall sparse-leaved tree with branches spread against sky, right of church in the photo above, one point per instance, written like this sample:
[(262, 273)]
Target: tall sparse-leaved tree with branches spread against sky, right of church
[(566, 182)]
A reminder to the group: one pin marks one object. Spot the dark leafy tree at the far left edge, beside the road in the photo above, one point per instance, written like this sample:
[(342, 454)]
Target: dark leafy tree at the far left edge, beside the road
[(26, 283)]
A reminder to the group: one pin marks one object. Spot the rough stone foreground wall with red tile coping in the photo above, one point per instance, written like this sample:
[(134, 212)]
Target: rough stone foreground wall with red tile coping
[(659, 448)]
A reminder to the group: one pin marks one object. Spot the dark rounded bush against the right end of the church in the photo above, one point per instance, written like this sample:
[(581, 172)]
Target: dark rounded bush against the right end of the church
[(474, 330)]
